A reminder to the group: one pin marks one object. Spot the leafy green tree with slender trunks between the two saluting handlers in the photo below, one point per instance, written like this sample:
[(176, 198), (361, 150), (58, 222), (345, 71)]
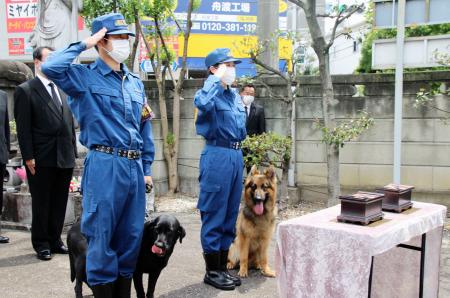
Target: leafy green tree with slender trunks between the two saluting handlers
[(163, 26)]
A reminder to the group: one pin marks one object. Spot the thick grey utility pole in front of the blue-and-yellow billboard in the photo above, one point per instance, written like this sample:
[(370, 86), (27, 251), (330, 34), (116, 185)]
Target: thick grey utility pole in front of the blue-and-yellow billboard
[(268, 18)]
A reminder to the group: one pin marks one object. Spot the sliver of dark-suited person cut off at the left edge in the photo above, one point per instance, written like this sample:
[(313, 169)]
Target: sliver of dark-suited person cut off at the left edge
[(4, 149)]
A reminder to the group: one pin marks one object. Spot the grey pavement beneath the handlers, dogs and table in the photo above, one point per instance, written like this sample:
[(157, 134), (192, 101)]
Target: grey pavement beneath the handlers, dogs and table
[(22, 275)]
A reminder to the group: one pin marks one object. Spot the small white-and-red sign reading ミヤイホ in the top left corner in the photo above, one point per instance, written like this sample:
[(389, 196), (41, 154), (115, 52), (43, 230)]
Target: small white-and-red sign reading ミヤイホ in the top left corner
[(21, 15)]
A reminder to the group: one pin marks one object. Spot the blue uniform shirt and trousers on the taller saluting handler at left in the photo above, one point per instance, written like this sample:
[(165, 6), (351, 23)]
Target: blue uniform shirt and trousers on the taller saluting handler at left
[(108, 108)]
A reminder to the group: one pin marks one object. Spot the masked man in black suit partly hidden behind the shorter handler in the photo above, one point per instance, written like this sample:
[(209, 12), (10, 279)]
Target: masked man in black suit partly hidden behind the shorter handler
[(256, 120)]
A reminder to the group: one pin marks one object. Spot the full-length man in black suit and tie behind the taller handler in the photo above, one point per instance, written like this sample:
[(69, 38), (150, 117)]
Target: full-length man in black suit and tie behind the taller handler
[(47, 141)]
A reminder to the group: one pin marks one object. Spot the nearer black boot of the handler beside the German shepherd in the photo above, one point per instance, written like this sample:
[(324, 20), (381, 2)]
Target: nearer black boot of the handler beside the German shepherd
[(214, 276)]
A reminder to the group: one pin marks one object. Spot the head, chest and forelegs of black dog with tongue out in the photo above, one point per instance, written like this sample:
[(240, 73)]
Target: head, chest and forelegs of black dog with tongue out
[(158, 241)]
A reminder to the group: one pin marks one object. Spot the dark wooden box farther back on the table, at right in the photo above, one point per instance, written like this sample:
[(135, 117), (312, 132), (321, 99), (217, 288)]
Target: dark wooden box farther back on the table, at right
[(397, 197)]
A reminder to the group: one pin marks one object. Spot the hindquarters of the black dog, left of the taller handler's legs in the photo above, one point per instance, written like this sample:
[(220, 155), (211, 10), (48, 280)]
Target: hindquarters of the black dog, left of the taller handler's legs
[(77, 245)]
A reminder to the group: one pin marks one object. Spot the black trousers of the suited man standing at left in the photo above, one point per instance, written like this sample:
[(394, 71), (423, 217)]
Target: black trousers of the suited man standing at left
[(49, 188)]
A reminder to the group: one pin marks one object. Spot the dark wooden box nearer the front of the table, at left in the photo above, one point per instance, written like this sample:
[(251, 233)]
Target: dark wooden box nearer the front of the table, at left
[(361, 207)]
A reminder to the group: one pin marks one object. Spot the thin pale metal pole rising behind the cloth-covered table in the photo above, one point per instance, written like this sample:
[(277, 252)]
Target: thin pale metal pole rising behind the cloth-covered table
[(399, 91)]
